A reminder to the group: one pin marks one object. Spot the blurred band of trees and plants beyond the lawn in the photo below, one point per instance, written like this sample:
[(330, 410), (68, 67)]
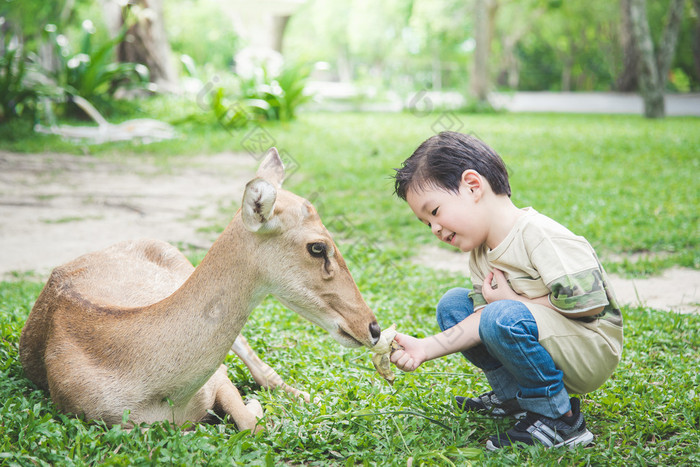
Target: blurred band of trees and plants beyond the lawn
[(264, 59)]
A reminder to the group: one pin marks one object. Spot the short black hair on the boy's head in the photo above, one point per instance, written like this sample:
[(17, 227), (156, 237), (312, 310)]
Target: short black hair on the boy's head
[(440, 161)]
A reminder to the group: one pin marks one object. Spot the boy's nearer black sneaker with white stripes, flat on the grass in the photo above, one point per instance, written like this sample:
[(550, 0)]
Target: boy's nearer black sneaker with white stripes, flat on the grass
[(538, 429)]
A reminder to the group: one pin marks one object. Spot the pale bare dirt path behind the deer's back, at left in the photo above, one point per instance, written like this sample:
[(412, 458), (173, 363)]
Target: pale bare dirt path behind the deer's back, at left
[(55, 207)]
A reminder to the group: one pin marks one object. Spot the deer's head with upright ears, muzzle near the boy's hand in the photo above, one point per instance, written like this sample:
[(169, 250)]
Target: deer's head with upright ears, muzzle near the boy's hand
[(299, 260)]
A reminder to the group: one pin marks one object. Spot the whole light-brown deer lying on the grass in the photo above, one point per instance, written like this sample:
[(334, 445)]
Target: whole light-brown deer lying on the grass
[(136, 327)]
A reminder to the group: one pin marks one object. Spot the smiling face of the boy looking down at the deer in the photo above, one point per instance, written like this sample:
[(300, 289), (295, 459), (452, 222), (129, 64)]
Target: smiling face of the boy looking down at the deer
[(455, 218)]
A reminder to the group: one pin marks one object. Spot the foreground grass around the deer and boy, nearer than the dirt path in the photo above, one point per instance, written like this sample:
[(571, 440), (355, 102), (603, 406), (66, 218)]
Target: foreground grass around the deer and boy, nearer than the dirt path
[(648, 413)]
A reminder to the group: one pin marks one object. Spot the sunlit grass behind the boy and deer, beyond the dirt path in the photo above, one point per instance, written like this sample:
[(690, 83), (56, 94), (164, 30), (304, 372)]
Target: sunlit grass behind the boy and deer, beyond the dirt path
[(629, 185)]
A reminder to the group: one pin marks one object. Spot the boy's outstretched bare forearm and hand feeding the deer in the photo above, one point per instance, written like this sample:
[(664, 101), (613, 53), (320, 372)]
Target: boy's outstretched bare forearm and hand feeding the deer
[(417, 351)]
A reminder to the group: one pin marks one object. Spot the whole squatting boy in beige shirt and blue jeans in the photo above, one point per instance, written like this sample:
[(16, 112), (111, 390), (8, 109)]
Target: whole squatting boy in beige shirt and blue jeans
[(541, 320)]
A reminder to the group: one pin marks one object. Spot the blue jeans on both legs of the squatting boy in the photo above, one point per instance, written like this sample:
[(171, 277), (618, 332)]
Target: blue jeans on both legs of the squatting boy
[(514, 362)]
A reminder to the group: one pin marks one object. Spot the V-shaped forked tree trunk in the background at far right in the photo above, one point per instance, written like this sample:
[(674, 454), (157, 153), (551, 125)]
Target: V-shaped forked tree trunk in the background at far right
[(653, 69)]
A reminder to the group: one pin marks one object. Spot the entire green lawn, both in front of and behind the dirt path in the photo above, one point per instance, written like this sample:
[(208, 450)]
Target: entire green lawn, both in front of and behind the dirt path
[(628, 184)]
